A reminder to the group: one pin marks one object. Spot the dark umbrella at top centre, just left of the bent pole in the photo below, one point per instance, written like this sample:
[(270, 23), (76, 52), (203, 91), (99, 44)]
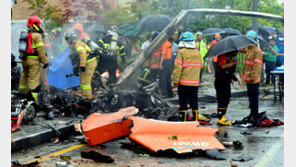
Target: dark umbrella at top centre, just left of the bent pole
[(155, 22)]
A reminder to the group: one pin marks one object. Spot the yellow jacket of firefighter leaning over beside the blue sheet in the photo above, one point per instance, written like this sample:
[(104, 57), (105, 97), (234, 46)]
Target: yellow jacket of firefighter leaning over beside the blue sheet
[(82, 50)]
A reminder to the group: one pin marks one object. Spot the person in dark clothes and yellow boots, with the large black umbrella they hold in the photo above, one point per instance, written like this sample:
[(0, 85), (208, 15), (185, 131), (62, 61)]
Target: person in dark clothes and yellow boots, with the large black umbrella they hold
[(227, 50)]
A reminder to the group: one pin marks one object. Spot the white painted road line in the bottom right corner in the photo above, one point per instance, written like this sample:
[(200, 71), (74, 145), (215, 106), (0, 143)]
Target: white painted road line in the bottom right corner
[(271, 153)]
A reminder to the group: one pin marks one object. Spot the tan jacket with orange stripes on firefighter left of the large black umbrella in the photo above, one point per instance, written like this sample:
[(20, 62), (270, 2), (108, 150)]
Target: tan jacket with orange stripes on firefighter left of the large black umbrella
[(187, 67)]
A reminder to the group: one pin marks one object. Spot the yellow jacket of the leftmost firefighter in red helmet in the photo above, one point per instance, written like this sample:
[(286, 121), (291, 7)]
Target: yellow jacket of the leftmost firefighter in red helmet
[(38, 46)]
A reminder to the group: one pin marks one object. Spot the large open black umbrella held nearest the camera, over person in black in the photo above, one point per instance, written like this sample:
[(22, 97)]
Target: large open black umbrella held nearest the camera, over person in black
[(229, 44)]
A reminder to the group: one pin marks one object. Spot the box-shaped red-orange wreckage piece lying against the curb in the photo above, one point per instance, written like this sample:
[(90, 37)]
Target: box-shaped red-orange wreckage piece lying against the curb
[(99, 128)]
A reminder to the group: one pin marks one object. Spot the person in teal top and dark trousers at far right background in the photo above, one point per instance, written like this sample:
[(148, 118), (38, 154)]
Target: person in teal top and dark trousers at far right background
[(270, 59)]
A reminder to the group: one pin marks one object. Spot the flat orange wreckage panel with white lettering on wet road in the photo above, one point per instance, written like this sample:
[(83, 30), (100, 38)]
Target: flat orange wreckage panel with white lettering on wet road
[(179, 136)]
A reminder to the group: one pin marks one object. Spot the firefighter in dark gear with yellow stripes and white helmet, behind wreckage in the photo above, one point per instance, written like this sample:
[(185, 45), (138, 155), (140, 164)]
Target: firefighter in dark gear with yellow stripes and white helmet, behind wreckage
[(111, 47)]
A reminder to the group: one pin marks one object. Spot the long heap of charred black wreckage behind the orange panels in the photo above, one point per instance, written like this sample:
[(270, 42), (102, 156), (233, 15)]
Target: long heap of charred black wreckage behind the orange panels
[(65, 103)]
